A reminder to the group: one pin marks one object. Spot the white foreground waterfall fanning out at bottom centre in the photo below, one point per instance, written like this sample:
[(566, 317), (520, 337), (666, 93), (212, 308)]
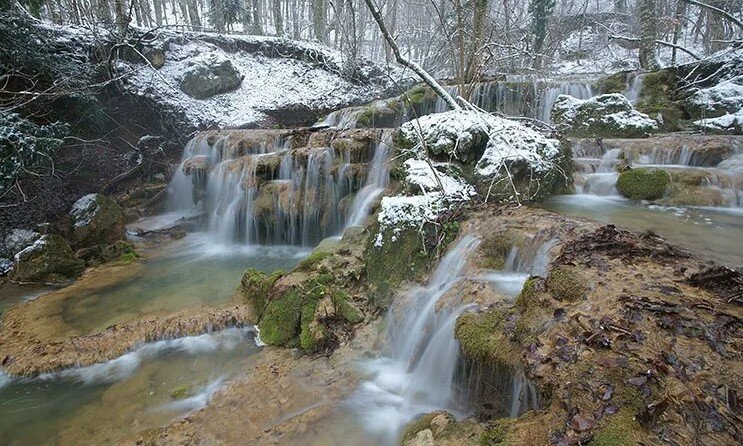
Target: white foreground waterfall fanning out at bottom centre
[(418, 373)]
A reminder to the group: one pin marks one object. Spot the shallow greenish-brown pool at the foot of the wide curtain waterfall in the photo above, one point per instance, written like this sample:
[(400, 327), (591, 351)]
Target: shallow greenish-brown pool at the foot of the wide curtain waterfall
[(191, 272)]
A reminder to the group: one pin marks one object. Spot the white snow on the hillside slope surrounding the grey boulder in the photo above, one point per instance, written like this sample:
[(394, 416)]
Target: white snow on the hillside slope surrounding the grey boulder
[(269, 83)]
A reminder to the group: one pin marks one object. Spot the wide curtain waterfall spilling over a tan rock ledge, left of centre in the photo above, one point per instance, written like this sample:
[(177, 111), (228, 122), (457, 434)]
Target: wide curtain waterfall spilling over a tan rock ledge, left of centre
[(276, 188)]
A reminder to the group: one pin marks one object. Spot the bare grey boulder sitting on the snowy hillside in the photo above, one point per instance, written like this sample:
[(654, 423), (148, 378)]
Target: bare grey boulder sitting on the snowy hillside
[(210, 76)]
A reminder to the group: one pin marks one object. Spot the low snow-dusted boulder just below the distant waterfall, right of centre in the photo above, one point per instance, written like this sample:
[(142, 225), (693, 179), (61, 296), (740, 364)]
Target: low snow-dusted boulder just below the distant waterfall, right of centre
[(604, 116)]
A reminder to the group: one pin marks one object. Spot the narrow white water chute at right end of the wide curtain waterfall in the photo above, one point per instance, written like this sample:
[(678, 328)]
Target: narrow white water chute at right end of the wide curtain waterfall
[(378, 178)]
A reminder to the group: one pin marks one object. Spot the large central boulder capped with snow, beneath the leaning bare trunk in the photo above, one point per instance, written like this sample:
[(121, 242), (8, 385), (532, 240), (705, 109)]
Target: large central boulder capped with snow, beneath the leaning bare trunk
[(452, 156)]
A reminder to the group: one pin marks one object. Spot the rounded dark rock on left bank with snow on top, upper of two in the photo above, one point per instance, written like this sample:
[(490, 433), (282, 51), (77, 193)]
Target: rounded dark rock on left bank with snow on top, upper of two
[(96, 219)]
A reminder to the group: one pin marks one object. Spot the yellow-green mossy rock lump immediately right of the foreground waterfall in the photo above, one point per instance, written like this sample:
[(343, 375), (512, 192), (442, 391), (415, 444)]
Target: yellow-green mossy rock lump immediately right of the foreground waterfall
[(482, 338)]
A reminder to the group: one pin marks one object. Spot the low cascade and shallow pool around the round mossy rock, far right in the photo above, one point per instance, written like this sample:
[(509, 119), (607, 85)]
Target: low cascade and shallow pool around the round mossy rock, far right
[(712, 232)]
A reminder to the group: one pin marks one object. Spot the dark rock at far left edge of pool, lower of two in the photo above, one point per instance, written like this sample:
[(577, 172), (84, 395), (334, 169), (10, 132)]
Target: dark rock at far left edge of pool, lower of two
[(49, 259)]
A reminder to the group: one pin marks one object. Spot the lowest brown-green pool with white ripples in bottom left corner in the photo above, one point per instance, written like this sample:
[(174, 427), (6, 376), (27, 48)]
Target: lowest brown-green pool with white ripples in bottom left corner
[(146, 388)]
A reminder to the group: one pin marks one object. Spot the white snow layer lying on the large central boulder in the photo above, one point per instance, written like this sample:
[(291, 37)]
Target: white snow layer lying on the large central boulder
[(438, 185)]
